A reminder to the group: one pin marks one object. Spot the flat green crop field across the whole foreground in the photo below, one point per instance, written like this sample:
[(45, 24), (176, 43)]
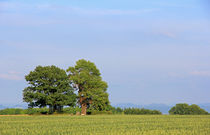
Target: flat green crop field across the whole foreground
[(105, 124)]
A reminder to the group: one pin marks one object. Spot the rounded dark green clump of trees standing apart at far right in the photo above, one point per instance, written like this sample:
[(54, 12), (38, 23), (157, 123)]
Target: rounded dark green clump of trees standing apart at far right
[(185, 109)]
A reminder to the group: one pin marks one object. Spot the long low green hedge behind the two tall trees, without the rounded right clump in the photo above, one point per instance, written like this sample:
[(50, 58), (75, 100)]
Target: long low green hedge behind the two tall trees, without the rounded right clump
[(77, 110)]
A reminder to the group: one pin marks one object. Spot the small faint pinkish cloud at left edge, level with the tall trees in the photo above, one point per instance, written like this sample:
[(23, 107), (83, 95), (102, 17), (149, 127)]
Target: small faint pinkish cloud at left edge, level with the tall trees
[(11, 75)]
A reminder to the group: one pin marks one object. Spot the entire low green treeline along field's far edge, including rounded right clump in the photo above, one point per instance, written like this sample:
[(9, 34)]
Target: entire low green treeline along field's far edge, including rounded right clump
[(178, 109)]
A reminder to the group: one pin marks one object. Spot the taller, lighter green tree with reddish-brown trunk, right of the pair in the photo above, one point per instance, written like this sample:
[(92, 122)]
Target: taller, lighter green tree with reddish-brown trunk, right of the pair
[(86, 79)]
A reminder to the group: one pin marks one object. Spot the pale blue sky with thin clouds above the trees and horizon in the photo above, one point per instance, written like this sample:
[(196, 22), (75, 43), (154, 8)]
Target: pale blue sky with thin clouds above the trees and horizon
[(148, 52)]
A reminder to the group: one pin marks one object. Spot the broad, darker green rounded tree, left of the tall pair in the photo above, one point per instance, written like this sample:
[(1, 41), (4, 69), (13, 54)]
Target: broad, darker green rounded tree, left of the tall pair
[(48, 86)]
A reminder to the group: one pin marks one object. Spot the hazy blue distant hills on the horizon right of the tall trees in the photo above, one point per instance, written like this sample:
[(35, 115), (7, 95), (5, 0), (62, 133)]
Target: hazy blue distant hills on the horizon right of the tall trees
[(161, 107)]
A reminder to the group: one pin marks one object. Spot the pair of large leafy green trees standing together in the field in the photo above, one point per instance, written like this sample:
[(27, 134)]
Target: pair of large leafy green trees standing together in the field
[(53, 87)]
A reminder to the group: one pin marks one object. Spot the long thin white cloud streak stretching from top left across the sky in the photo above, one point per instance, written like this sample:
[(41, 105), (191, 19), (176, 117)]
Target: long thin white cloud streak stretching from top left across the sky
[(7, 6)]
